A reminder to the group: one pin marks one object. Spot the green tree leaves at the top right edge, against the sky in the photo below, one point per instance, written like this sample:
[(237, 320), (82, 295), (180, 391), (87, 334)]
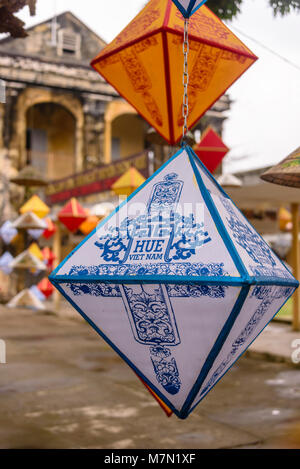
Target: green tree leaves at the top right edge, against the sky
[(228, 9)]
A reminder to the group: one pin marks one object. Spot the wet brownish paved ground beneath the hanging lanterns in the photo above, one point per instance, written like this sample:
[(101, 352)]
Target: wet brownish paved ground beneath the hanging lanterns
[(64, 388)]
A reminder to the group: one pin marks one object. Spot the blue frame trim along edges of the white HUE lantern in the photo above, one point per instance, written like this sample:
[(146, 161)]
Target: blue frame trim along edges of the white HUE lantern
[(245, 281)]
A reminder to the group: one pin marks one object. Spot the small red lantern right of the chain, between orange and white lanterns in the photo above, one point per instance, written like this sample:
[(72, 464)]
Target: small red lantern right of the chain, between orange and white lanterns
[(211, 150)]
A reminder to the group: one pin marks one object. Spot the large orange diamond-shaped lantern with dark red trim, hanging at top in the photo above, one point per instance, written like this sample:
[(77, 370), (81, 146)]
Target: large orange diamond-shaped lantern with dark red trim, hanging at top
[(145, 61)]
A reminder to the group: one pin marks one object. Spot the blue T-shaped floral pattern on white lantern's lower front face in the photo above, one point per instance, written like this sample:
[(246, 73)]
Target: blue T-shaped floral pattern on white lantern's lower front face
[(151, 316)]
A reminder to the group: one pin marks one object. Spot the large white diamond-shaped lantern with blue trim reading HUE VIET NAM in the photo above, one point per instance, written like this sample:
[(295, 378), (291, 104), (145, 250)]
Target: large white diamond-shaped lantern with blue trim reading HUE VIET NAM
[(177, 281)]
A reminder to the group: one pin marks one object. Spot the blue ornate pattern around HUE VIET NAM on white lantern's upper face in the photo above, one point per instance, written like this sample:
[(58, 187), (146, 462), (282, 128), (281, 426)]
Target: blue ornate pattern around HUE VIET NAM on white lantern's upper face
[(160, 223)]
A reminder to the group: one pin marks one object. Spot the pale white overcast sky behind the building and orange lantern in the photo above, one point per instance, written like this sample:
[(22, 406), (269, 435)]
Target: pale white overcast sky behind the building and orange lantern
[(264, 122)]
